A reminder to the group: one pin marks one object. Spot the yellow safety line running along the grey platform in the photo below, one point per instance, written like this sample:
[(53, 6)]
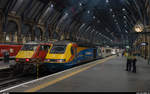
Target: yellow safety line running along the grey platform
[(62, 78)]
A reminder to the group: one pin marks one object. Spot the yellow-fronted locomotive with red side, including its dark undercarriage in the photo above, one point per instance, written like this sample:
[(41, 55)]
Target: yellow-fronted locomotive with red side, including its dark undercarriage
[(29, 55)]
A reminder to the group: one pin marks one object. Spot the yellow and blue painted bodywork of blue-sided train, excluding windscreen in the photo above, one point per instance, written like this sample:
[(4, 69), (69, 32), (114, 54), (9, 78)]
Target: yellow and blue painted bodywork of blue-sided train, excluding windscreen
[(81, 55)]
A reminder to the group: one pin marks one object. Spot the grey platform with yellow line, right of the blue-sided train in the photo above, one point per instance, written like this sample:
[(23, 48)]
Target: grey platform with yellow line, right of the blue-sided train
[(105, 75)]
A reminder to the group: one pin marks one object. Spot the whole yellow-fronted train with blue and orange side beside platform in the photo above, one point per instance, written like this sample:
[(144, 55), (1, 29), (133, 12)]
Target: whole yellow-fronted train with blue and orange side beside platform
[(65, 54)]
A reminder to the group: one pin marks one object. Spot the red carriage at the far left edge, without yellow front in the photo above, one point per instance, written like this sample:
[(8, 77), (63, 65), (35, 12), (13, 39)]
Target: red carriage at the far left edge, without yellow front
[(13, 49)]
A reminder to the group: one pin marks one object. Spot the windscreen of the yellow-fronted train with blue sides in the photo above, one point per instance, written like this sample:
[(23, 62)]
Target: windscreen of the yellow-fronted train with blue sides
[(58, 49)]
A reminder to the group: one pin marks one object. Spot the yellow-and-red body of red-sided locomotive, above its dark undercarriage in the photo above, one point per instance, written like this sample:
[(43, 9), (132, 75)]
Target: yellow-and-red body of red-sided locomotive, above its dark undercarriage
[(33, 52)]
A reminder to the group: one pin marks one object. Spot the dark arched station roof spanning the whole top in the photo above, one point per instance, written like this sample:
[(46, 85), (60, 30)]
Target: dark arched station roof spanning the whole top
[(111, 20)]
